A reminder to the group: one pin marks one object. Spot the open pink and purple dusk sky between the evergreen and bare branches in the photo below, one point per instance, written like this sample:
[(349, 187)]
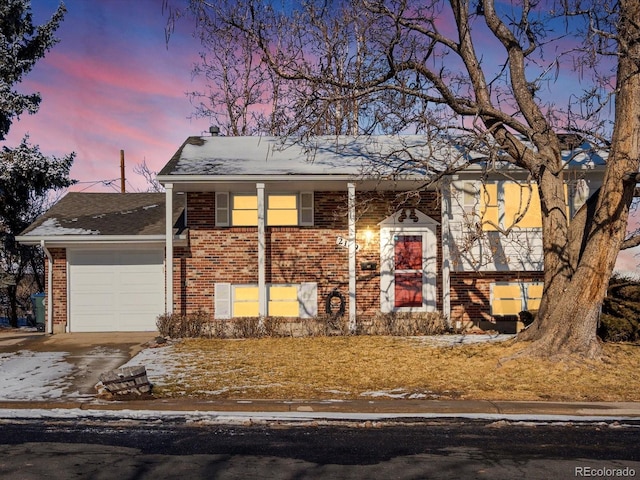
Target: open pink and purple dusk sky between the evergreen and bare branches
[(112, 83)]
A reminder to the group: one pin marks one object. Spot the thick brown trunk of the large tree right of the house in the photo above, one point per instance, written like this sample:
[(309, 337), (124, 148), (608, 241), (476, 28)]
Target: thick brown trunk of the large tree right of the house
[(576, 279)]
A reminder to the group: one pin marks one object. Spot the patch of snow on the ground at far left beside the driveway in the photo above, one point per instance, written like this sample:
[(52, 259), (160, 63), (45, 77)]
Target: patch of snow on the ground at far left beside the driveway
[(27, 375)]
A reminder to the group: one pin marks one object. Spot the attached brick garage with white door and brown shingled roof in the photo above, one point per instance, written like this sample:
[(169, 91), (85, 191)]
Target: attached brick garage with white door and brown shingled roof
[(105, 260)]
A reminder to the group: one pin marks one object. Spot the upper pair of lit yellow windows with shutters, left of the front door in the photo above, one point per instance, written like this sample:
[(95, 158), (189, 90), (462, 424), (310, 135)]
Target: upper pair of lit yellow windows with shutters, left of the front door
[(282, 209)]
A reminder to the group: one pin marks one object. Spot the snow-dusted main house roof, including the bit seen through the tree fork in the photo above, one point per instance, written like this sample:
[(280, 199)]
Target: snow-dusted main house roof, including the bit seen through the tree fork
[(358, 157)]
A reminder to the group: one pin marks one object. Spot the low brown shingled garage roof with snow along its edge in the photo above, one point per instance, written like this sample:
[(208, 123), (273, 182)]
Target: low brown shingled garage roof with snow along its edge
[(91, 216)]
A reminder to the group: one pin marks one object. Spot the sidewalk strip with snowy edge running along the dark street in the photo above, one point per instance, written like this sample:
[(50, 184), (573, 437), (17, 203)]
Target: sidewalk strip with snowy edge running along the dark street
[(336, 410)]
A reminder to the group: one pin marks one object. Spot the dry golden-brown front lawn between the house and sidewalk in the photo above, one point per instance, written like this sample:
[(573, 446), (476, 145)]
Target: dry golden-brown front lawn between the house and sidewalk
[(364, 367)]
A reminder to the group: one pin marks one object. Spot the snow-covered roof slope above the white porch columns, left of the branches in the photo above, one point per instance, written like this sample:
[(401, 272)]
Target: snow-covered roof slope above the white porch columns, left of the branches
[(324, 155)]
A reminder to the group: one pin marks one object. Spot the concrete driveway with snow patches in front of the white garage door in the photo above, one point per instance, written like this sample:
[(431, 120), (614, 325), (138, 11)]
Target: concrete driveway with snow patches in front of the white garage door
[(39, 366)]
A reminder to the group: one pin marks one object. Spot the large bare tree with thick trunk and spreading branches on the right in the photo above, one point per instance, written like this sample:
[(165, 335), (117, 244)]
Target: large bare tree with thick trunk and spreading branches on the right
[(489, 71)]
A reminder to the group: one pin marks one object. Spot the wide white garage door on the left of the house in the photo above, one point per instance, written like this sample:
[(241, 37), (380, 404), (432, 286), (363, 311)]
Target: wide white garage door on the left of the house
[(121, 290)]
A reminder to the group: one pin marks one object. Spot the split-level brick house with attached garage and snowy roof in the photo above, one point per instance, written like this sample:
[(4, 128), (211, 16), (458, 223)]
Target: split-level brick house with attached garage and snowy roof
[(263, 226)]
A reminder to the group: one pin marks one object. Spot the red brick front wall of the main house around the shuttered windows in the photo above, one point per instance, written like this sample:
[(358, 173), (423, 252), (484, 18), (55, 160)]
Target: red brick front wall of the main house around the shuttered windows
[(294, 254)]
